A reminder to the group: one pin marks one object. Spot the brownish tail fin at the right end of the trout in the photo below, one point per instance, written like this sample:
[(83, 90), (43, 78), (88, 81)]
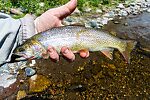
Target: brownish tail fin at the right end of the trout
[(130, 44)]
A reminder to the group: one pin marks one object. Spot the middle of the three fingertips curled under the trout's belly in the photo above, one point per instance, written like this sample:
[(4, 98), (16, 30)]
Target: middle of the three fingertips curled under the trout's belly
[(67, 53)]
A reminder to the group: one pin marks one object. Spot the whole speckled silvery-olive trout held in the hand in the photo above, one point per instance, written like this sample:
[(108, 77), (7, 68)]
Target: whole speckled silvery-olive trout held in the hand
[(76, 38)]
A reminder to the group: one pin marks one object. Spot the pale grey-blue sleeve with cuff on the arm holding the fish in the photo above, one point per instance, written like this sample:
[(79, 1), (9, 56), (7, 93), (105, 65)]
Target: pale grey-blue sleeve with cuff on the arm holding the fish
[(13, 32)]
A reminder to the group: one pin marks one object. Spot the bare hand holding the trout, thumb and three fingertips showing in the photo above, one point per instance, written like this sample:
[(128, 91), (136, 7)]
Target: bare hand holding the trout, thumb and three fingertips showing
[(53, 18)]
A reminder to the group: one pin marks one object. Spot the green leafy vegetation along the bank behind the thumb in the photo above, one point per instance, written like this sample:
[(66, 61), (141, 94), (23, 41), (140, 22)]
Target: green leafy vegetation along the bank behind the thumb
[(33, 6)]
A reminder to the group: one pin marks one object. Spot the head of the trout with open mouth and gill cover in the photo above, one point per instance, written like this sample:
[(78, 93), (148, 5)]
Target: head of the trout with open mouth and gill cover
[(31, 49)]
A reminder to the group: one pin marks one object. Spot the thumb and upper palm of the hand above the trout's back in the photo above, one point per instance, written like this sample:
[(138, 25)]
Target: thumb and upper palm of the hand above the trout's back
[(53, 17)]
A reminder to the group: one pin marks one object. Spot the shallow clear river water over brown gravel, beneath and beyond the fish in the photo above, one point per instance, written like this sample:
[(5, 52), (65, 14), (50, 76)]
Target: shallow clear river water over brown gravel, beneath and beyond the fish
[(97, 77)]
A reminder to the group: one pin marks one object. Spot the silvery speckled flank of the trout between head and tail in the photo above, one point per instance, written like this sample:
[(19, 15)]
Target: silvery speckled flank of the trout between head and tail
[(69, 36)]
